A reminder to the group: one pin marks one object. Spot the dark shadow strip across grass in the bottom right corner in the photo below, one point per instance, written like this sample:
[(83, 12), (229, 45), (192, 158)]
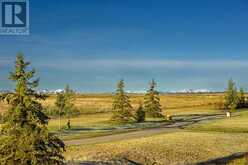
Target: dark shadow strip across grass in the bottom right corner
[(231, 159)]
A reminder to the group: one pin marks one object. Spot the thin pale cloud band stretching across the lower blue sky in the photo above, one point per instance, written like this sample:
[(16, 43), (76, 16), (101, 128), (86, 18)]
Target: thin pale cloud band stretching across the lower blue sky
[(145, 64)]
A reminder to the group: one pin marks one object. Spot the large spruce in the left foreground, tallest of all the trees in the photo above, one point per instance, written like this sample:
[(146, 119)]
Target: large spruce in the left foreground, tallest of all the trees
[(25, 139)]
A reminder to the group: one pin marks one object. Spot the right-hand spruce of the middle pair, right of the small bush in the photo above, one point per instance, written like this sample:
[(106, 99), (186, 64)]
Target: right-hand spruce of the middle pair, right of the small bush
[(152, 102)]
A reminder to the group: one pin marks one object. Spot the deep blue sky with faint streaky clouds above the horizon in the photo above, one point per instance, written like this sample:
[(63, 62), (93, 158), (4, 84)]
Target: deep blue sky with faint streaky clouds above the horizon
[(91, 44)]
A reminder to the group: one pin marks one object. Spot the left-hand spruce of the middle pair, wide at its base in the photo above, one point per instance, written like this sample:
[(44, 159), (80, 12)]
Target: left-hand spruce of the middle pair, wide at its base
[(122, 108)]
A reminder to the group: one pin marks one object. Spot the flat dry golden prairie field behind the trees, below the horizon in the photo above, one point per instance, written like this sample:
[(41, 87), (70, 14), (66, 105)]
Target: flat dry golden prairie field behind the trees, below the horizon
[(103, 102)]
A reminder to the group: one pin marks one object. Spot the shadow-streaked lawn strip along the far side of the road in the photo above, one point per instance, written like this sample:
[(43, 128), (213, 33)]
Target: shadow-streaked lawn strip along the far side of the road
[(93, 125)]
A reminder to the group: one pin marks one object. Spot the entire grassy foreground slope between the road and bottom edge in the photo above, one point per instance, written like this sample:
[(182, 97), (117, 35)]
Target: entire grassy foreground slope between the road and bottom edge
[(208, 140)]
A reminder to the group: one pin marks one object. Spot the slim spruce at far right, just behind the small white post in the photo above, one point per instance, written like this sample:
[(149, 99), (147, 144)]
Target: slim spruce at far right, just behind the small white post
[(231, 96)]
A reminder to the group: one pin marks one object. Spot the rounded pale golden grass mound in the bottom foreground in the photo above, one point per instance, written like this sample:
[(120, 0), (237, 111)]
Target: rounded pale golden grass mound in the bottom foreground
[(172, 148)]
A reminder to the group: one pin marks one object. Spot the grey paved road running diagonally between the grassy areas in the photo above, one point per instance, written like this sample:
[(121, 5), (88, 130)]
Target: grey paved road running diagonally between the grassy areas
[(178, 125)]
